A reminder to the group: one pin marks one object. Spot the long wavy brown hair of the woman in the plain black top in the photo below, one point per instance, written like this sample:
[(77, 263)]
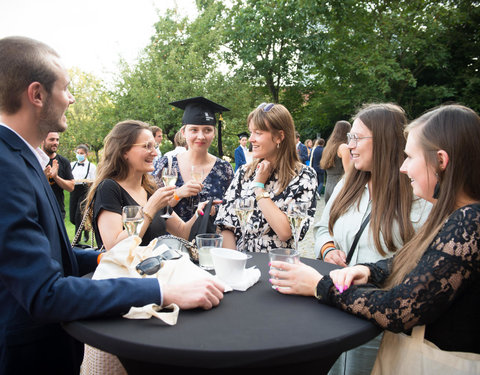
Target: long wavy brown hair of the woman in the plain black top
[(112, 163)]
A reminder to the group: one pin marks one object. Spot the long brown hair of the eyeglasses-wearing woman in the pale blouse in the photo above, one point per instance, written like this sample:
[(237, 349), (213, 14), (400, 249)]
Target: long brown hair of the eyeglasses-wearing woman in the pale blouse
[(391, 192)]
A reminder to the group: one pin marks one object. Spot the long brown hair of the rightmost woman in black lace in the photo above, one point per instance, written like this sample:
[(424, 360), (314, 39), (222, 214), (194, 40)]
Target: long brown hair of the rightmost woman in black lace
[(456, 130)]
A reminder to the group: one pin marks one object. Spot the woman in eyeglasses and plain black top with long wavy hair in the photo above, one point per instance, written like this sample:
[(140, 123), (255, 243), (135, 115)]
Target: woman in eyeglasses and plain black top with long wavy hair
[(123, 179)]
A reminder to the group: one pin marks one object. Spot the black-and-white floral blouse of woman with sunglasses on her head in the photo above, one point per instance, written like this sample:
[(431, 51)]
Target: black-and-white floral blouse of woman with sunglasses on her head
[(259, 236)]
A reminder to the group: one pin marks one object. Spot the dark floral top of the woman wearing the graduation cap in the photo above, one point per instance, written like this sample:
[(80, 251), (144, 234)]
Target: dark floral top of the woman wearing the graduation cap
[(214, 185)]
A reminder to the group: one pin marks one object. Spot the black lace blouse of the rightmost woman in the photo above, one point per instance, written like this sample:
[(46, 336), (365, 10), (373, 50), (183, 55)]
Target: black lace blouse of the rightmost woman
[(442, 291)]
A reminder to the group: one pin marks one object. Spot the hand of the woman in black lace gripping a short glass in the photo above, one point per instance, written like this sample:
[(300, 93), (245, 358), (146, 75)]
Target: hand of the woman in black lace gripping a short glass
[(294, 278)]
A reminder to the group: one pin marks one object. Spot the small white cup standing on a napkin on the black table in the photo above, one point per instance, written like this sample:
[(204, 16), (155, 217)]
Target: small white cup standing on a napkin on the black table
[(229, 264)]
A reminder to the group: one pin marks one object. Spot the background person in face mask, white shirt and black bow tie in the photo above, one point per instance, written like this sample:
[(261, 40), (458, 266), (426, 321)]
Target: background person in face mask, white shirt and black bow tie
[(84, 174)]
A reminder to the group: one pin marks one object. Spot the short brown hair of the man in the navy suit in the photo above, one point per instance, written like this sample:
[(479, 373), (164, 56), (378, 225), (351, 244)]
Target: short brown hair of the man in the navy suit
[(22, 62)]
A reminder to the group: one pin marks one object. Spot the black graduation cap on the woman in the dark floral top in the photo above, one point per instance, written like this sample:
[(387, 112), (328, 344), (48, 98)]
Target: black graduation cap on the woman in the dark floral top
[(199, 111)]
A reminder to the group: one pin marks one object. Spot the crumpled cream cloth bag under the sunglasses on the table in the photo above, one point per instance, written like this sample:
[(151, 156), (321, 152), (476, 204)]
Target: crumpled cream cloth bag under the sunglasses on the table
[(122, 259)]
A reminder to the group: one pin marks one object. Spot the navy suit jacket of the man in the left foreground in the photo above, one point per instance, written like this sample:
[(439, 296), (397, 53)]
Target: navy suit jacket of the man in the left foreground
[(39, 283)]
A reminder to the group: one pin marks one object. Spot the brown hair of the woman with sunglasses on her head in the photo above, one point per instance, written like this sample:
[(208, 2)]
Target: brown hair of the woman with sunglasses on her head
[(287, 164)]
